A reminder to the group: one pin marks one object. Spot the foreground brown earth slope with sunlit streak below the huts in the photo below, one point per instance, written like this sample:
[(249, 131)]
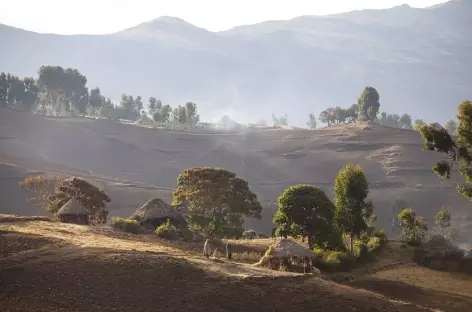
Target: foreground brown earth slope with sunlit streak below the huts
[(81, 268)]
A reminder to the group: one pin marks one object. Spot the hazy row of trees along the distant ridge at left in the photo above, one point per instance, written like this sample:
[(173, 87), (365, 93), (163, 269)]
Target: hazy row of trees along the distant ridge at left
[(58, 91)]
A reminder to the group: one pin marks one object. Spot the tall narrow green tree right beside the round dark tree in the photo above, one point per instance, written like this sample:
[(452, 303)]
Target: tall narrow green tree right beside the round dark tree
[(352, 212)]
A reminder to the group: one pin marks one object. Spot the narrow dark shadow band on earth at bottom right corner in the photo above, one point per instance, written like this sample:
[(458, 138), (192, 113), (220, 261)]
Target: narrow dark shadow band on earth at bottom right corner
[(443, 300)]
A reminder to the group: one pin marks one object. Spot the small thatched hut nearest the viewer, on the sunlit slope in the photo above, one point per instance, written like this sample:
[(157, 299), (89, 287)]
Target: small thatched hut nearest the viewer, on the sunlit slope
[(288, 255)]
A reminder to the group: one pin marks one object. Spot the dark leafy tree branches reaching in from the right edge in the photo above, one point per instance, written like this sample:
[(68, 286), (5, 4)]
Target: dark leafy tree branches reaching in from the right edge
[(458, 151)]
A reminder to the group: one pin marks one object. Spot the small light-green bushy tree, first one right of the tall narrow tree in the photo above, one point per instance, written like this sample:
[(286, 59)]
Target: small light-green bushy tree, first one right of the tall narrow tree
[(414, 228)]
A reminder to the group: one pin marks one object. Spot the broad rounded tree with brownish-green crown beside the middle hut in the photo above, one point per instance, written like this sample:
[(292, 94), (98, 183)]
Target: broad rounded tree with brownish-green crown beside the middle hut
[(217, 201)]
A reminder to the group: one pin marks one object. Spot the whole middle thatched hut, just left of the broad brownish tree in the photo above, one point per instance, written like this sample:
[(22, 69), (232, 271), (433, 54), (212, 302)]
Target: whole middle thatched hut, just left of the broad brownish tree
[(156, 212)]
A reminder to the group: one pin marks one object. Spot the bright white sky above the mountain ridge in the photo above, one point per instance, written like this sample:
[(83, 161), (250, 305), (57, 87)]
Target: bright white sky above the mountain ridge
[(105, 16)]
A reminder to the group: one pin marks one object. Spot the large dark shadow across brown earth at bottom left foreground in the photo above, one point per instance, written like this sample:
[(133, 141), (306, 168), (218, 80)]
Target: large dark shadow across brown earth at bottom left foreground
[(140, 282)]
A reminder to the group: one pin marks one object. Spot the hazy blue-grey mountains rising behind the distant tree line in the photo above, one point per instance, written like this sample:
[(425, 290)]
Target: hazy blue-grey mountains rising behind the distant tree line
[(416, 58)]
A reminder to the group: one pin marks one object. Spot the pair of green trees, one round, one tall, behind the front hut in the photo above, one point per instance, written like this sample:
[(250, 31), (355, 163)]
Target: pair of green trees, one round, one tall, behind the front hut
[(305, 210)]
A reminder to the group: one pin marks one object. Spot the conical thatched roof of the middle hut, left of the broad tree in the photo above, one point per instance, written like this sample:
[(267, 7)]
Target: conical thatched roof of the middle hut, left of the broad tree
[(156, 208)]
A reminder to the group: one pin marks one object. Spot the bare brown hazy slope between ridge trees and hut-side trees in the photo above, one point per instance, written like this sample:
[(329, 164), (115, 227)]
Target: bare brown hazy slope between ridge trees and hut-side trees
[(270, 160)]
